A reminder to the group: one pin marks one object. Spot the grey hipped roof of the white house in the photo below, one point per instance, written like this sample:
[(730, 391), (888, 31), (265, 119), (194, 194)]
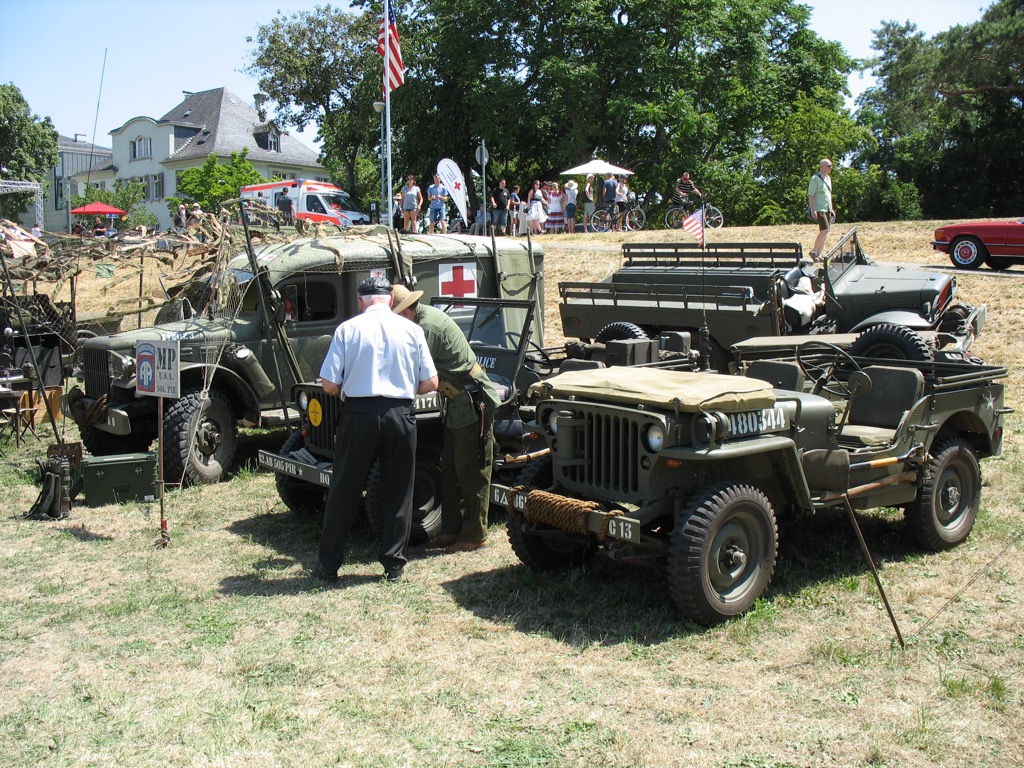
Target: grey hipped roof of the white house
[(219, 122)]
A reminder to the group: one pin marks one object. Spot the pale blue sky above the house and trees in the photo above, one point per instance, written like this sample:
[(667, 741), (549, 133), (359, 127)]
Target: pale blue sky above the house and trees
[(54, 51)]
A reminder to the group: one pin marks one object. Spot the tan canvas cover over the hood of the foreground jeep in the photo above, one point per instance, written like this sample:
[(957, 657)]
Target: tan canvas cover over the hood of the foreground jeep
[(682, 391)]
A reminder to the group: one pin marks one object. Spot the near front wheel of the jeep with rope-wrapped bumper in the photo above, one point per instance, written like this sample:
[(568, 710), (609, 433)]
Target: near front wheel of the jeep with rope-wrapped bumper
[(722, 554)]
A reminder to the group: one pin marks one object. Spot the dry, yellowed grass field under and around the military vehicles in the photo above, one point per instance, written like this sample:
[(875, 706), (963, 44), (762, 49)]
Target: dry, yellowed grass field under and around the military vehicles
[(223, 651)]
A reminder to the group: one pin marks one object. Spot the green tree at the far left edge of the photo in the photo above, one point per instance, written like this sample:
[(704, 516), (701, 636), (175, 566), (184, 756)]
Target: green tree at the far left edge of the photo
[(28, 148)]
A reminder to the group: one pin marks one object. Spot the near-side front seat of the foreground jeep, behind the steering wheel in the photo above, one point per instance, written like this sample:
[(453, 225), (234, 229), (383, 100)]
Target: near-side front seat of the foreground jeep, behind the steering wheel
[(876, 415)]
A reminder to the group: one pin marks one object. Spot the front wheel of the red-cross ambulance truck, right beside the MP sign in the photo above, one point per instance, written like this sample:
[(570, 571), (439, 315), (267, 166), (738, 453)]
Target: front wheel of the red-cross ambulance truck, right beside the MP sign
[(200, 439)]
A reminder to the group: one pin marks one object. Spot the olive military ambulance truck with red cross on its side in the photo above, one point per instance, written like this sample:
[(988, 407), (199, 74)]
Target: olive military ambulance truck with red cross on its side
[(249, 335)]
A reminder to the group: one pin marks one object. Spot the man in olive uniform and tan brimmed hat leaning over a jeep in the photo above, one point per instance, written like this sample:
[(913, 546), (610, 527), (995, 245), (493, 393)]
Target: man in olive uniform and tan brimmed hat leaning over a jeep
[(470, 400)]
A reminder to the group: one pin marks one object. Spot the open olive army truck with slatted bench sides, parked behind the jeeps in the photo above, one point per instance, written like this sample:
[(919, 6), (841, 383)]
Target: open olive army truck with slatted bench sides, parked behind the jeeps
[(745, 290)]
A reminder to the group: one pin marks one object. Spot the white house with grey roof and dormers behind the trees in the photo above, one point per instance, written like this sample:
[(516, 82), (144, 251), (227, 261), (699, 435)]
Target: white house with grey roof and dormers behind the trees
[(215, 122)]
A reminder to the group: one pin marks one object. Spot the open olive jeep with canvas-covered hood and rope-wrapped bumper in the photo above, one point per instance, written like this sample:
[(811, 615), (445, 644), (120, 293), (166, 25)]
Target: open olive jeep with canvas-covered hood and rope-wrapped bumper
[(695, 470)]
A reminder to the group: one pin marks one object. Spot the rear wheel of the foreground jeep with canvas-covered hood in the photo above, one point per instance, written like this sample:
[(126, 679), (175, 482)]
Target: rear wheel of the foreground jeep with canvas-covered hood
[(948, 503)]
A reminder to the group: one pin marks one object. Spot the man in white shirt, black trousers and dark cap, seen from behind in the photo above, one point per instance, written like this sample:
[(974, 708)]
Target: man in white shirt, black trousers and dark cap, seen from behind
[(378, 363)]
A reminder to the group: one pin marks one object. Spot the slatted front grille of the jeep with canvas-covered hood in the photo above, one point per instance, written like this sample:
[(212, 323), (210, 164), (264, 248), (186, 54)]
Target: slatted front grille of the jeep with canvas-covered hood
[(602, 451)]
